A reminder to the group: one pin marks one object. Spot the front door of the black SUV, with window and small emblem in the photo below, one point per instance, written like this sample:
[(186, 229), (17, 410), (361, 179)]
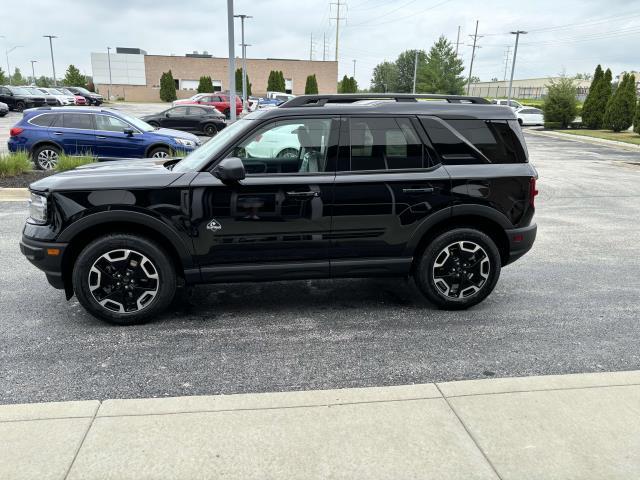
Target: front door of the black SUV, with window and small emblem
[(276, 222)]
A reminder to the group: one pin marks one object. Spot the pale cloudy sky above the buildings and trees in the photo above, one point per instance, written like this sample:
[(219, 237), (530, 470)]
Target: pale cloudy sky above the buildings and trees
[(569, 36)]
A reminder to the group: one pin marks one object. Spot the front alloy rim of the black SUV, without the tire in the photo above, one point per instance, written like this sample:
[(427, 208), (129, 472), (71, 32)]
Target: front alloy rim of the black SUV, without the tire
[(124, 281)]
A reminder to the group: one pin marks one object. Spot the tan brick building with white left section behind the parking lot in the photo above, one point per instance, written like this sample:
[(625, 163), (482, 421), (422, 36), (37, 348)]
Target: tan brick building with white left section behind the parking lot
[(135, 75)]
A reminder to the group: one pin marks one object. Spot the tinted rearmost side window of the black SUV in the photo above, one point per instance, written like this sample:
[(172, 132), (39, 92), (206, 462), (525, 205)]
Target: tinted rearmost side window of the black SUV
[(495, 139)]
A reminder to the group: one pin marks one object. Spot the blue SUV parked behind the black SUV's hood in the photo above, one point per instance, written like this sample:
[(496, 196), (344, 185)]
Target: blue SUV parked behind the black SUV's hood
[(47, 132)]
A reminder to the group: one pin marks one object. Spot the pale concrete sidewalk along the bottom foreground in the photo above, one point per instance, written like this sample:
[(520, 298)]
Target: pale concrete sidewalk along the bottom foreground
[(583, 426)]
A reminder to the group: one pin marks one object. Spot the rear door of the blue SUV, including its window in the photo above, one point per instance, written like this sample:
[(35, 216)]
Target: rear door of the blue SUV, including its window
[(75, 132)]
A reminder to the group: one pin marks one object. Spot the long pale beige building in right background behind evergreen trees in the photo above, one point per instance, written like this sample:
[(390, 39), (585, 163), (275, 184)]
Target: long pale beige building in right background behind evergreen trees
[(524, 88)]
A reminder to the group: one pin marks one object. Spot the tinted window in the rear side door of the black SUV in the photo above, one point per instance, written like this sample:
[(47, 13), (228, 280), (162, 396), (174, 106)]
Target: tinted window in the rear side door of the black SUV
[(384, 144)]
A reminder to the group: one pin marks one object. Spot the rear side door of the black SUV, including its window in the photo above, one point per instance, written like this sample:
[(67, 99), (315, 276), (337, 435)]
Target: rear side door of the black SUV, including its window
[(387, 184)]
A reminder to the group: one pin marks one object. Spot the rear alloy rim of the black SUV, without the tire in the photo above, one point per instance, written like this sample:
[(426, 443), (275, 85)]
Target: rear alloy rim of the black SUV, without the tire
[(461, 269)]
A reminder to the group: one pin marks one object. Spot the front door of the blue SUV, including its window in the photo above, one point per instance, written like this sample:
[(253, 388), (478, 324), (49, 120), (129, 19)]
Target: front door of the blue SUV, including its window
[(117, 138)]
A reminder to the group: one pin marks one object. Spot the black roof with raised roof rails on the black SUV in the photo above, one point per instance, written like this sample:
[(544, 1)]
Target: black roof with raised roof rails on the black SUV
[(444, 106)]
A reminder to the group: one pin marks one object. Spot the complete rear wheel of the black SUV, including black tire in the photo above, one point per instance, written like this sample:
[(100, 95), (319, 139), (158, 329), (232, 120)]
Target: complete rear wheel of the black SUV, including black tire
[(433, 281)]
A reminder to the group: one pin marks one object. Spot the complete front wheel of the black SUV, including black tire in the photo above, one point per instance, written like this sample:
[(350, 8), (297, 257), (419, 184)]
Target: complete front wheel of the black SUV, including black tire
[(142, 251)]
